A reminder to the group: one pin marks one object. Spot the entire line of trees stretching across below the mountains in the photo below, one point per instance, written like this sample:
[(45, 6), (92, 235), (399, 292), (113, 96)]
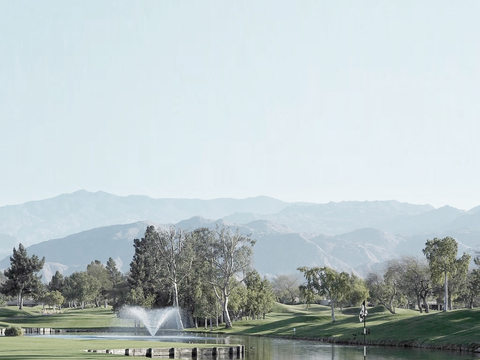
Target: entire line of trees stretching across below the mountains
[(209, 274)]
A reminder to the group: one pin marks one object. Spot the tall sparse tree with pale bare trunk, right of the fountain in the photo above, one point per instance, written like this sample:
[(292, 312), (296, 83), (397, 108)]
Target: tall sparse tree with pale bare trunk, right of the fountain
[(228, 255)]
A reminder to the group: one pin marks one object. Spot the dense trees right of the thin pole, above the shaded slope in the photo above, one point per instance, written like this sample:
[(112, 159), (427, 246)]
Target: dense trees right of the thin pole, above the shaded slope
[(440, 280)]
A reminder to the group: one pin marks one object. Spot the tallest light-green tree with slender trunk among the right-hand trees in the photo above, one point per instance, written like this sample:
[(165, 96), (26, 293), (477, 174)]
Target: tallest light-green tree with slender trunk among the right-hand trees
[(441, 255)]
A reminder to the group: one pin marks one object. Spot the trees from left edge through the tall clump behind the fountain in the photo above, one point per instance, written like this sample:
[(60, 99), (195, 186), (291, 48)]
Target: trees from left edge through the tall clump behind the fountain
[(206, 272)]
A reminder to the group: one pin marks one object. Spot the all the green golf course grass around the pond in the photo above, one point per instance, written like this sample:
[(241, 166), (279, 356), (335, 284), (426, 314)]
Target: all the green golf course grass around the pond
[(456, 329)]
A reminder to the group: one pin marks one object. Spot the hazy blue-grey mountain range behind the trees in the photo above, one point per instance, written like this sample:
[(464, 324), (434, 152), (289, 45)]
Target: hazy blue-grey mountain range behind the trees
[(72, 230)]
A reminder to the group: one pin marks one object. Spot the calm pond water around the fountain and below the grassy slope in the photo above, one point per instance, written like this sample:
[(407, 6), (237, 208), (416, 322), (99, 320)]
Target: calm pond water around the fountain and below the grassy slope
[(264, 348)]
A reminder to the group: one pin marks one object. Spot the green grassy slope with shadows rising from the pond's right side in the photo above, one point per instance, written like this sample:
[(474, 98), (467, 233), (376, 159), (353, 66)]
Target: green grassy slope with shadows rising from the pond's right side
[(450, 330)]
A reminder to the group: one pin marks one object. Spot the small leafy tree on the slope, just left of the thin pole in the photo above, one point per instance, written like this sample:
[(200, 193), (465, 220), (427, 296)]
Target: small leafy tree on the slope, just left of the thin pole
[(327, 282)]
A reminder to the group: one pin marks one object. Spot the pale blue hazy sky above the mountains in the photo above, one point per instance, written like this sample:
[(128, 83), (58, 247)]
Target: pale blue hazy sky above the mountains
[(313, 101)]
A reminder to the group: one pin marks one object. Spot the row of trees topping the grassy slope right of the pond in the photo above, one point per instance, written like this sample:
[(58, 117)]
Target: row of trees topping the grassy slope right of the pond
[(442, 278)]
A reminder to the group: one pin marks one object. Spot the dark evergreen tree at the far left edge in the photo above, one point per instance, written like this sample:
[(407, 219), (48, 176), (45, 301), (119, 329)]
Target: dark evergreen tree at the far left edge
[(21, 276)]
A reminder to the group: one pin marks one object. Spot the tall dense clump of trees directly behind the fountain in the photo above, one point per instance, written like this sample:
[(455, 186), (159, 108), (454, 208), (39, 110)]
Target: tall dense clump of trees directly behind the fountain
[(199, 271)]
